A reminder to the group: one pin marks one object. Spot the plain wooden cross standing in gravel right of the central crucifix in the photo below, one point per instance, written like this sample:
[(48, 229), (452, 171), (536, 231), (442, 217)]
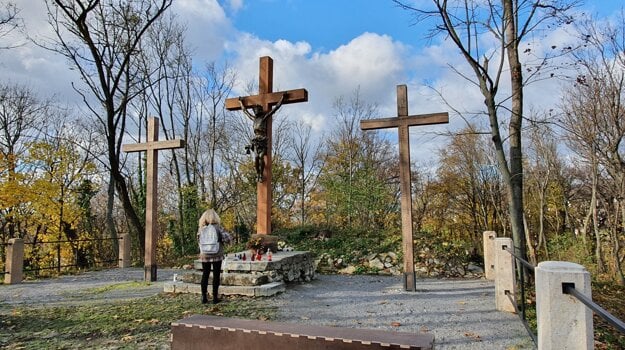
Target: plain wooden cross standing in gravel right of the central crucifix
[(403, 121)]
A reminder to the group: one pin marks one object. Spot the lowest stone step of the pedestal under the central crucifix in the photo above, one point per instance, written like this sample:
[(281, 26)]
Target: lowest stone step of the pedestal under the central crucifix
[(264, 290)]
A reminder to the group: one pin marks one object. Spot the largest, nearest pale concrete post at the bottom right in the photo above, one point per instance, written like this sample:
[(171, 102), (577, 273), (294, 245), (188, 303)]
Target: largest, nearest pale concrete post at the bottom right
[(563, 321)]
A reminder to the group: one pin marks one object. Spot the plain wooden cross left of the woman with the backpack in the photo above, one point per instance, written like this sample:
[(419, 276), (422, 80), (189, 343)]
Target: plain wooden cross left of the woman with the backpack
[(151, 206)]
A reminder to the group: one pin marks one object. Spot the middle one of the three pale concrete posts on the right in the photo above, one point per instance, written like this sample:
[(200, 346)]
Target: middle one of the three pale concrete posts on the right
[(505, 281)]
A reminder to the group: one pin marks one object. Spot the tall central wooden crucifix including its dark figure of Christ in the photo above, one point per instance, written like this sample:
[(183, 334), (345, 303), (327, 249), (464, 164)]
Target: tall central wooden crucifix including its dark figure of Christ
[(263, 106)]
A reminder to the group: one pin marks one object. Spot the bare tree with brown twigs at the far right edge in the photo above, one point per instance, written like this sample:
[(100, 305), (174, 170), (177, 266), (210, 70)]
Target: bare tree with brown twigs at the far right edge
[(593, 118)]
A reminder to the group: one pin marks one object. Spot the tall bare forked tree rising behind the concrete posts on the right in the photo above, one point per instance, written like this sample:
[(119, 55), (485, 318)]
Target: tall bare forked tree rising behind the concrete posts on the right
[(509, 22)]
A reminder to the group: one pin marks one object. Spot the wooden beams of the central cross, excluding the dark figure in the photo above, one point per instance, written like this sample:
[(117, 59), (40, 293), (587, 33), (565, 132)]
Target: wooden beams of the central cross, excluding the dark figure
[(266, 99)]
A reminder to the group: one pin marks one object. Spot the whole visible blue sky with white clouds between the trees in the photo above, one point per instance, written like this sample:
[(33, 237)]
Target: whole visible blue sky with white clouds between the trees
[(330, 47)]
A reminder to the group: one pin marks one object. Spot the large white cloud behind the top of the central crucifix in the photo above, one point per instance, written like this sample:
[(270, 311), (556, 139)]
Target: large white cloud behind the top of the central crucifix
[(371, 62)]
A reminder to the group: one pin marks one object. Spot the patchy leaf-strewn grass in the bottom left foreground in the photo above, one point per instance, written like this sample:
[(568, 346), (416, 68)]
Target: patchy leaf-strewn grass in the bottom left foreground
[(137, 324)]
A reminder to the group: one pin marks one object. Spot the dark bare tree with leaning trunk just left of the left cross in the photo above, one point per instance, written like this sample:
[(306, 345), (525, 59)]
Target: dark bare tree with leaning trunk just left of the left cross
[(100, 39)]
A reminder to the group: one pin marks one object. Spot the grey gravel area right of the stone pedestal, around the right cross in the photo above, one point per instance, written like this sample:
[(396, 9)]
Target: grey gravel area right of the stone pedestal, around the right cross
[(460, 313)]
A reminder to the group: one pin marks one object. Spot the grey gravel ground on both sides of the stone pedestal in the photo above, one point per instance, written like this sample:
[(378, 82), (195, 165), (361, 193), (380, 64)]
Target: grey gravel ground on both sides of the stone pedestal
[(460, 313)]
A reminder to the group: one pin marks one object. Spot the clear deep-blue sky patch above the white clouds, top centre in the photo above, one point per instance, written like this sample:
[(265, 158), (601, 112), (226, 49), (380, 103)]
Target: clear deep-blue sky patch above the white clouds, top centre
[(325, 24)]
